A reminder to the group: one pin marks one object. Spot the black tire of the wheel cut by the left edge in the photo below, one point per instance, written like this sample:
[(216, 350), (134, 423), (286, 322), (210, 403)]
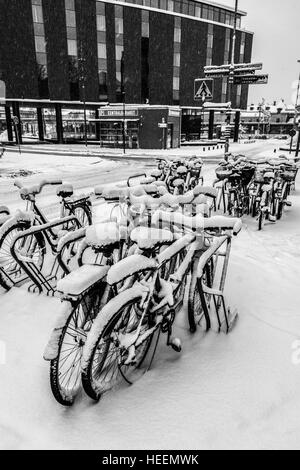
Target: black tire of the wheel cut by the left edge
[(6, 280)]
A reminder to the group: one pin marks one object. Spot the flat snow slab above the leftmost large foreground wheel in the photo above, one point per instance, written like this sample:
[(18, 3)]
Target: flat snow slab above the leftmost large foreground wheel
[(81, 279)]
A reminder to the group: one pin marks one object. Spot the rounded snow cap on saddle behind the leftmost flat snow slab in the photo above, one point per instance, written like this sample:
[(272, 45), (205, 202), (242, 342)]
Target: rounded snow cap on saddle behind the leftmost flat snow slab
[(105, 234)]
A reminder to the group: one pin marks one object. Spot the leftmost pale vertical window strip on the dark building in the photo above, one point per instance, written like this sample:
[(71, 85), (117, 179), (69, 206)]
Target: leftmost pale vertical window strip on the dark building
[(40, 48)]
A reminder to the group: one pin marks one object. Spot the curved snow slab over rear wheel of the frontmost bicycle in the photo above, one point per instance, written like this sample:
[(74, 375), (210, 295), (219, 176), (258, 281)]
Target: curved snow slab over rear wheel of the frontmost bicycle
[(129, 266)]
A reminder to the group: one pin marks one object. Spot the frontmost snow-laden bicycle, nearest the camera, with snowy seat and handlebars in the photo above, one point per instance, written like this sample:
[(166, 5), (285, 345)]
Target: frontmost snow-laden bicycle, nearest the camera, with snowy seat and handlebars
[(122, 333)]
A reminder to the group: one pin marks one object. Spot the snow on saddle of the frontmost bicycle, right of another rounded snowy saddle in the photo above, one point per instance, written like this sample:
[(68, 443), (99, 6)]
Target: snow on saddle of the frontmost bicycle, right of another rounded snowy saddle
[(150, 238)]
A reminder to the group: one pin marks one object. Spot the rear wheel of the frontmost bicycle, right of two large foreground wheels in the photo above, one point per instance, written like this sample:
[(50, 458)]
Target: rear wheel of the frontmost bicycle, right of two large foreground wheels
[(104, 359)]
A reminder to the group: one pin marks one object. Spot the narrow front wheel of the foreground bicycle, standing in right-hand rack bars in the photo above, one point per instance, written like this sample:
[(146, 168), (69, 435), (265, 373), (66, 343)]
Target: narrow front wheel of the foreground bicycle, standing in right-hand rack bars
[(198, 301)]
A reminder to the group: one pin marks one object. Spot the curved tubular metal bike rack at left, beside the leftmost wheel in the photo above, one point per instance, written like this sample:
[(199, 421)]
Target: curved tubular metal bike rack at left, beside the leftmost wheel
[(43, 281)]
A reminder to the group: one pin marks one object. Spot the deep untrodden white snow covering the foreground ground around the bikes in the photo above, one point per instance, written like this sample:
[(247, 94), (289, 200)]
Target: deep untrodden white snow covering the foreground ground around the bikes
[(235, 391)]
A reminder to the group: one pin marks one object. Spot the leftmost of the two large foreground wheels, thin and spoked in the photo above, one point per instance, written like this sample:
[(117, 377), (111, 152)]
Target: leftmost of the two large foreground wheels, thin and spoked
[(65, 369)]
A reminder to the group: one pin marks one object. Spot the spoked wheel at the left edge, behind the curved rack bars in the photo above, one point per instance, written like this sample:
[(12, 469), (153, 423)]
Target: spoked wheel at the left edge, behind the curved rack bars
[(33, 247)]
